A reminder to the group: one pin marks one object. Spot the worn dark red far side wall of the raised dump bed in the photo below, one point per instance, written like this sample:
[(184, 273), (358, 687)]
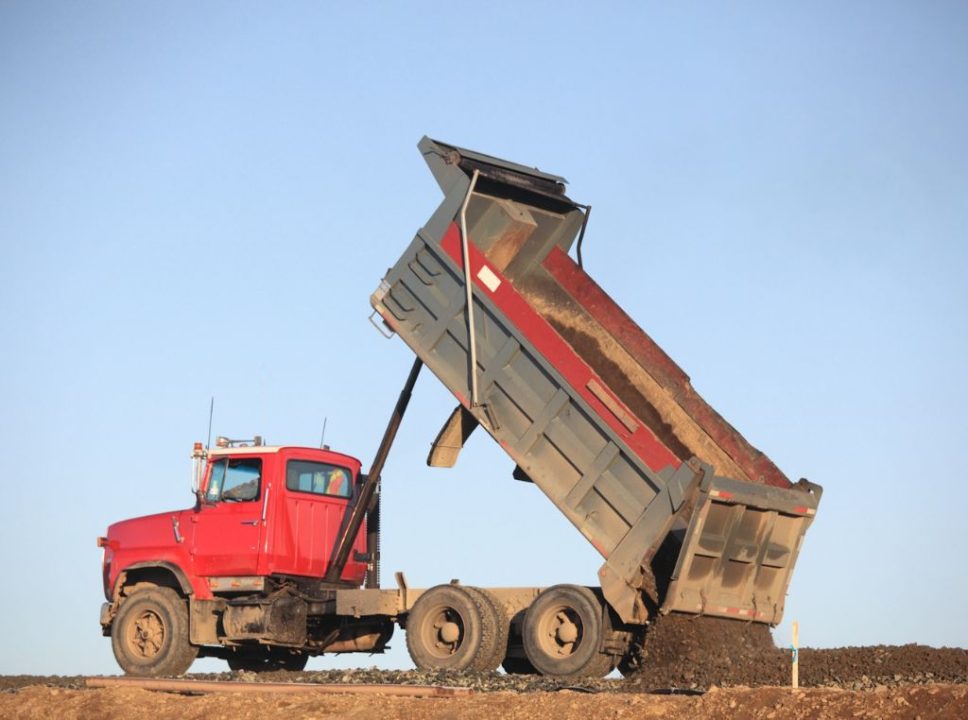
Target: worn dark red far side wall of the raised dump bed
[(600, 306)]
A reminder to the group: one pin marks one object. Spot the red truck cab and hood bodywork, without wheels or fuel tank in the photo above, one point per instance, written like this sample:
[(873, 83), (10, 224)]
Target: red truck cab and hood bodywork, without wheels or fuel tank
[(261, 511)]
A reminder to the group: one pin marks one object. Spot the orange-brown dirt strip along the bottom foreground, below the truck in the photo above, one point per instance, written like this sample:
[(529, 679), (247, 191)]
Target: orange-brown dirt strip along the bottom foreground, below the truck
[(941, 701)]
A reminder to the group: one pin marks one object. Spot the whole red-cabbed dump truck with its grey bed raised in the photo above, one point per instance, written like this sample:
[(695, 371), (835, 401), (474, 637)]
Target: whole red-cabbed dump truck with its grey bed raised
[(279, 559)]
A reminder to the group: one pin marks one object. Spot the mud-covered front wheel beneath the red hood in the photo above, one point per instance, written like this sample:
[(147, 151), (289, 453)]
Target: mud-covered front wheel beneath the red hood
[(149, 636)]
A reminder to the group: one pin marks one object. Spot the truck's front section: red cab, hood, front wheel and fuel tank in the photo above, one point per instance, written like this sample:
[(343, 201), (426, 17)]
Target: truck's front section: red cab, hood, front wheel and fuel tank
[(263, 530)]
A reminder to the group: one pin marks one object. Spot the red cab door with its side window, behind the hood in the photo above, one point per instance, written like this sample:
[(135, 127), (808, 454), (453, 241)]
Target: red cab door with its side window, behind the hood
[(229, 527)]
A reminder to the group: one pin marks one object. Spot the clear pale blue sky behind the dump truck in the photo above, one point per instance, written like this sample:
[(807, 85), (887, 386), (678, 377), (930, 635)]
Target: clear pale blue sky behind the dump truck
[(197, 199)]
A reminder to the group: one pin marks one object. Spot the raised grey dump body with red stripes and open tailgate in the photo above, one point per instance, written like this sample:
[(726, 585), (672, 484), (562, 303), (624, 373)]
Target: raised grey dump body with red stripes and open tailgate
[(688, 516)]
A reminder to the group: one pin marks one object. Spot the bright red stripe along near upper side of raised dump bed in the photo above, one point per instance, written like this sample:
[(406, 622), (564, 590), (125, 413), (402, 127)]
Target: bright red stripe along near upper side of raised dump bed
[(550, 344)]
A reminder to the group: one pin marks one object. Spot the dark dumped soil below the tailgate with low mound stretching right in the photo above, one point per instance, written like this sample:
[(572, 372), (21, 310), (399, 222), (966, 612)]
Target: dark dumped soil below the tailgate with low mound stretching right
[(700, 652)]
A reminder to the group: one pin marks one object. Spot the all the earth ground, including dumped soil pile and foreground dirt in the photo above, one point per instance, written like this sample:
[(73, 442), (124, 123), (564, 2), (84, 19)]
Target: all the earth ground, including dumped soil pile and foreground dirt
[(695, 668)]
